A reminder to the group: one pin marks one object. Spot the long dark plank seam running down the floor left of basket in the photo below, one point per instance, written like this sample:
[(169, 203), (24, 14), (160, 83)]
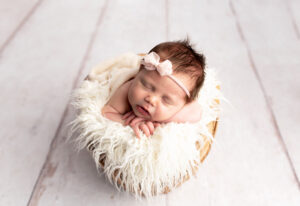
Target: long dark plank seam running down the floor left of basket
[(37, 189)]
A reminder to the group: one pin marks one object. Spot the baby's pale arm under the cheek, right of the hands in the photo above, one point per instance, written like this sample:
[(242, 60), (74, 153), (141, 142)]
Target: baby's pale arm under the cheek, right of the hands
[(191, 112)]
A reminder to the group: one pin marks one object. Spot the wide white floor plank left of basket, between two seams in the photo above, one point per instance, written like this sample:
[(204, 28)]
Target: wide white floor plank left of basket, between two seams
[(38, 69)]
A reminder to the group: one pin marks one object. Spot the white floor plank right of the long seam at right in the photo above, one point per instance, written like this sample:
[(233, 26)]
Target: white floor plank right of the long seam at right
[(276, 52)]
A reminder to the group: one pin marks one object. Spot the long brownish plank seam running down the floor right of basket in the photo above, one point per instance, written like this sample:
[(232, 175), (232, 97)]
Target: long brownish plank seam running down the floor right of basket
[(270, 110)]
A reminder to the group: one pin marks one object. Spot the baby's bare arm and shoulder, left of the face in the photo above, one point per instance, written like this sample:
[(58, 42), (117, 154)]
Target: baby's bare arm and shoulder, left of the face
[(118, 104)]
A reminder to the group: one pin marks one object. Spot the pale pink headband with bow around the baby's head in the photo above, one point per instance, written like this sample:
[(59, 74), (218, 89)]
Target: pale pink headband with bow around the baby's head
[(151, 62)]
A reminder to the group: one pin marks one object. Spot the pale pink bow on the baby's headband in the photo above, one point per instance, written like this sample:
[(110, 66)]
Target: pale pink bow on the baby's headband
[(151, 62)]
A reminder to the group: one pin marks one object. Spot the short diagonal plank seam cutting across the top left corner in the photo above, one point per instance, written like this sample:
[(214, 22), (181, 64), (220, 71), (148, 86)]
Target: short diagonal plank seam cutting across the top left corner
[(20, 26)]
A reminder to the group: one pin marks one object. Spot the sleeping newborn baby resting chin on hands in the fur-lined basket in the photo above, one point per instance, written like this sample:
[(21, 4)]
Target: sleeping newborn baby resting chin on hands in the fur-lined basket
[(164, 90)]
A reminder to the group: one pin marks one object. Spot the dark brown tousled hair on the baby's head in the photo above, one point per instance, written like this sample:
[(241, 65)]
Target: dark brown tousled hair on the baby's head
[(187, 60)]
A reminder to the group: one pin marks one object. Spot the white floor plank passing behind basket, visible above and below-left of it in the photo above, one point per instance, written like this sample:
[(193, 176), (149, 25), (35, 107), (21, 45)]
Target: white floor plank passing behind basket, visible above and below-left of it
[(127, 26)]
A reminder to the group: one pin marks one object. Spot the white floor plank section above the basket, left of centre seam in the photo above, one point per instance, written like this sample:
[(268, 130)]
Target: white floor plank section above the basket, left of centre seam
[(144, 28)]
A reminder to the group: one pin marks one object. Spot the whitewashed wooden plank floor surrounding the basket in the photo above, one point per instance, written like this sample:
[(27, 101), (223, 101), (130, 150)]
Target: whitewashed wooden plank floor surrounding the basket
[(48, 46)]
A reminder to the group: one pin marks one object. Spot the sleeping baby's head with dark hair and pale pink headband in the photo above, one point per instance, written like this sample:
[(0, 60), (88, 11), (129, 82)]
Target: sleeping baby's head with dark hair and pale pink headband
[(158, 95)]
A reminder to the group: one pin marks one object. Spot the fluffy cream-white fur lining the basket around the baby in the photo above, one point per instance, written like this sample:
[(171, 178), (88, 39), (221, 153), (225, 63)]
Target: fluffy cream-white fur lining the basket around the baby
[(143, 166)]
